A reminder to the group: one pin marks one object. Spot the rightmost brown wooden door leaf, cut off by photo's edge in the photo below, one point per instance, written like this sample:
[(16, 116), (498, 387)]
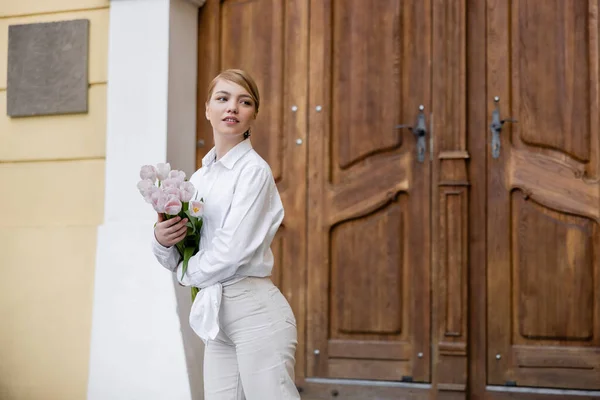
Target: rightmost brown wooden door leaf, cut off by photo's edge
[(543, 196)]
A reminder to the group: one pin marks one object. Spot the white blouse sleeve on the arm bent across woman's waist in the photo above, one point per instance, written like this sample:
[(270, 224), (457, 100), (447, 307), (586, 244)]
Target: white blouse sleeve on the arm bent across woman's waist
[(243, 231)]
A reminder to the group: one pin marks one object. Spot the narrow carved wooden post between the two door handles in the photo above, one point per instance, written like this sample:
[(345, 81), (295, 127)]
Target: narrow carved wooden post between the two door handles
[(451, 200)]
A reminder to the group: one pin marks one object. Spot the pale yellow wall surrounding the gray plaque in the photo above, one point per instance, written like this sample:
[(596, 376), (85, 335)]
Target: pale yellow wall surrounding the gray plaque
[(51, 197)]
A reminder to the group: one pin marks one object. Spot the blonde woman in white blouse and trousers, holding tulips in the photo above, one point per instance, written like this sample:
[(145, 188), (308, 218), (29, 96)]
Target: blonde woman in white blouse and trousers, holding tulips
[(246, 323)]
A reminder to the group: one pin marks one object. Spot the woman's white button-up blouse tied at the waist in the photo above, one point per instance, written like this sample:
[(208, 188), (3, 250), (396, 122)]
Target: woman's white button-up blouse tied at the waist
[(242, 212)]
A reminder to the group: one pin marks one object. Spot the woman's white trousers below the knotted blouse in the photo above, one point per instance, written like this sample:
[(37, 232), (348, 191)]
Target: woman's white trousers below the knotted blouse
[(253, 356)]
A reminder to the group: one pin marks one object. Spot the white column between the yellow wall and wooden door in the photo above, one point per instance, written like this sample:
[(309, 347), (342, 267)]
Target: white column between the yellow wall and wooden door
[(137, 348)]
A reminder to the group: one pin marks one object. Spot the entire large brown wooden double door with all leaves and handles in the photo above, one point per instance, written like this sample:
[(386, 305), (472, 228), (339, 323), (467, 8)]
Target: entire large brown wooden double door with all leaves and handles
[(431, 248)]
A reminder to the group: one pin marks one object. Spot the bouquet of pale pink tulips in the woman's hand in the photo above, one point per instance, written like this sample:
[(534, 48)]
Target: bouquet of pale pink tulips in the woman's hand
[(170, 193)]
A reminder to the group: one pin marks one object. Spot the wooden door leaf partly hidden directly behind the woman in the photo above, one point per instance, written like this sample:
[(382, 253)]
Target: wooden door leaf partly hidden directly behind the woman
[(268, 39)]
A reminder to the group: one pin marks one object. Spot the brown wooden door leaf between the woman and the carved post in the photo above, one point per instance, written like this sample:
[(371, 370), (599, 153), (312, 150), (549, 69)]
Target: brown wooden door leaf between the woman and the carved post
[(368, 213)]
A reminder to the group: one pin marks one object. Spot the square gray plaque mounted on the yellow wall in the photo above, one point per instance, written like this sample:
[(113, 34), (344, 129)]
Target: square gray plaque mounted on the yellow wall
[(48, 68)]
